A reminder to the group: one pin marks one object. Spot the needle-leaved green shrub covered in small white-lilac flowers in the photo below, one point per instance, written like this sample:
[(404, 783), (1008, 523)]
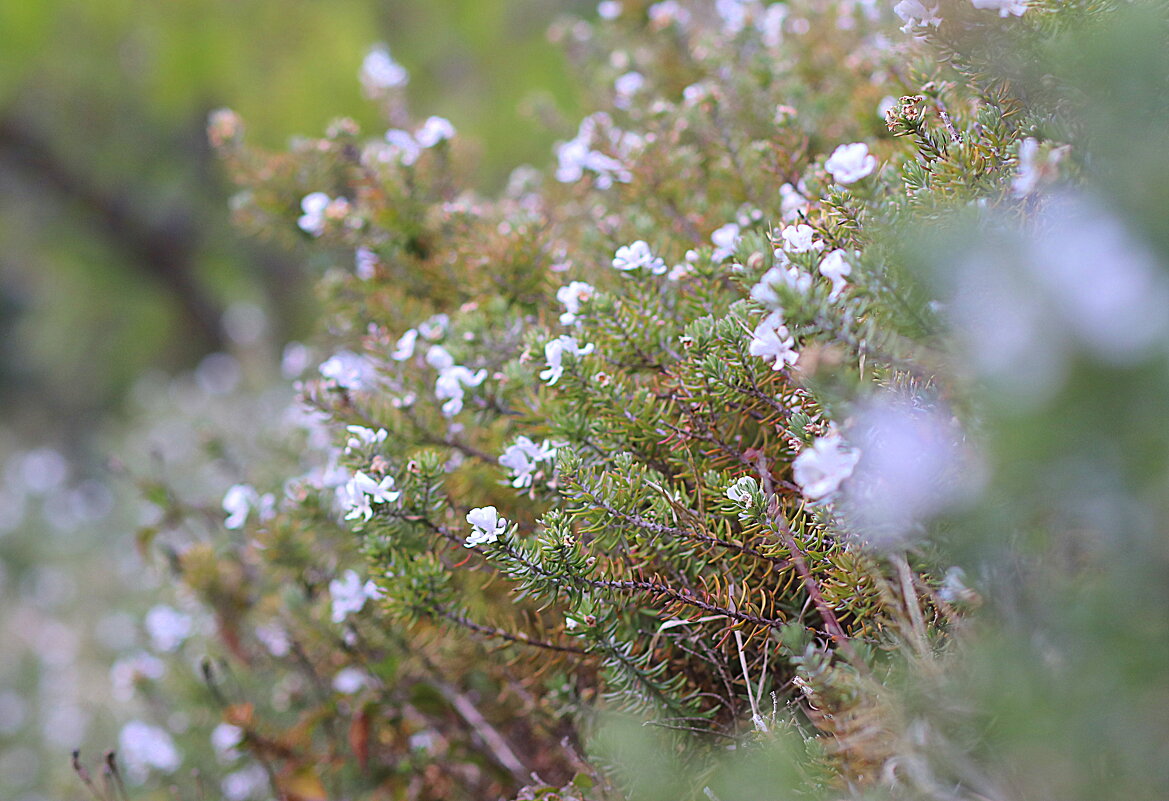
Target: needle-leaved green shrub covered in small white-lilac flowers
[(756, 415)]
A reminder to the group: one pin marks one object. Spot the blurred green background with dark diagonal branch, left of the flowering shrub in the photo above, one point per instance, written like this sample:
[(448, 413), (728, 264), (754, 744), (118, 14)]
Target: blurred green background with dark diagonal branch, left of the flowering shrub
[(124, 292)]
